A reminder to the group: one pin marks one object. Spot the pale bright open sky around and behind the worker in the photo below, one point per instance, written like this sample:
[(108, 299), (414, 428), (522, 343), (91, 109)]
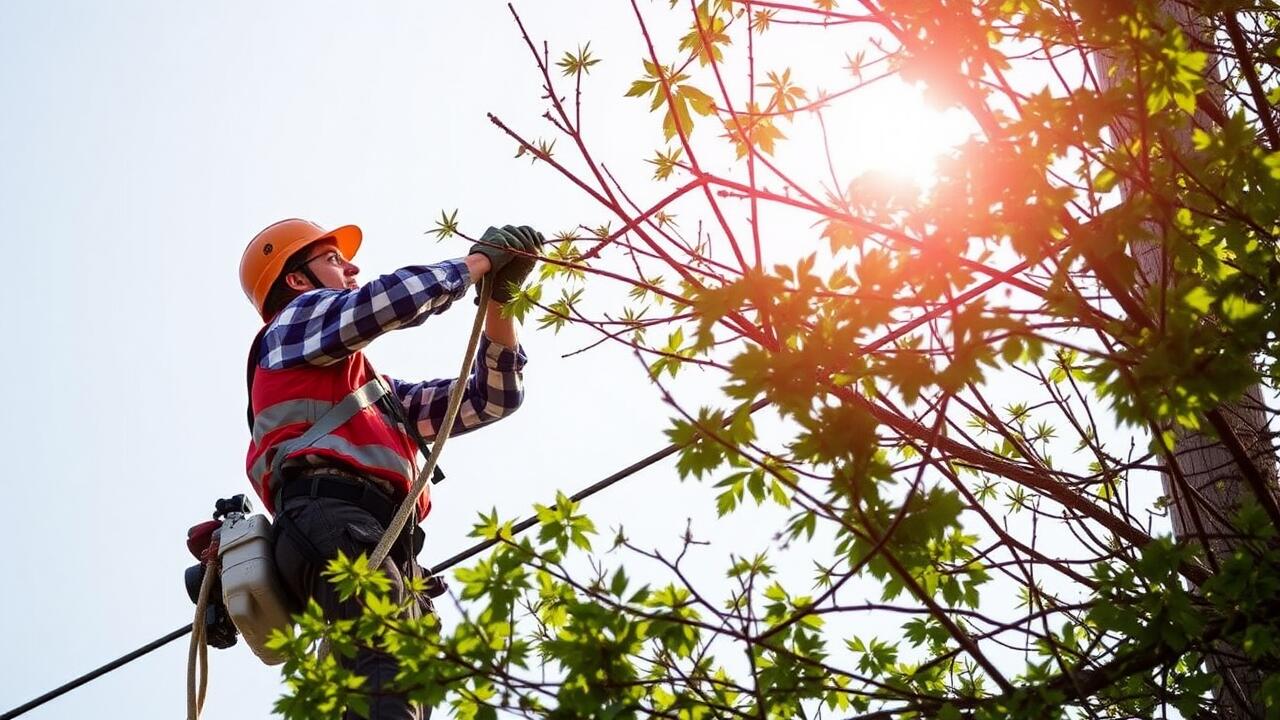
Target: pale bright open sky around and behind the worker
[(144, 143)]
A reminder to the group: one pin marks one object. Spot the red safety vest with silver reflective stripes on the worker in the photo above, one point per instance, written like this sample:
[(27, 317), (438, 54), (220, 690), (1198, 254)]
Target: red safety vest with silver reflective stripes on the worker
[(286, 403)]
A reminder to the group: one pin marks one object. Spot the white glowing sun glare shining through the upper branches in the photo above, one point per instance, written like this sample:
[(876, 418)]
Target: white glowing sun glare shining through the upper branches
[(897, 133)]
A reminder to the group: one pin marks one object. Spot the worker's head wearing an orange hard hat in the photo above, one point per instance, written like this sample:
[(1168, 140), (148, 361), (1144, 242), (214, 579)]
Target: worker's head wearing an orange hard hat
[(294, 257)]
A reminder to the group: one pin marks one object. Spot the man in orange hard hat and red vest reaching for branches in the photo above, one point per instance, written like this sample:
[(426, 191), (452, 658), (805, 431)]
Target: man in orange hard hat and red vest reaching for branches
[(339, 489)]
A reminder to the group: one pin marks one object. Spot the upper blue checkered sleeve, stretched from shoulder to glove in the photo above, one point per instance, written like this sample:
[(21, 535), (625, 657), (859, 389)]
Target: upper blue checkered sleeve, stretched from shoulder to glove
[(322, 327)]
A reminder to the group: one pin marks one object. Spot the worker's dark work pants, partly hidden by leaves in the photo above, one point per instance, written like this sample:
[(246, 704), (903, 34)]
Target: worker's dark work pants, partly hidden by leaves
[(331, 526)]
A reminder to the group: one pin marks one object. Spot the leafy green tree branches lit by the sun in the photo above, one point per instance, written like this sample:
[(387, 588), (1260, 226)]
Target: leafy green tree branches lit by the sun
[(1103, 253)]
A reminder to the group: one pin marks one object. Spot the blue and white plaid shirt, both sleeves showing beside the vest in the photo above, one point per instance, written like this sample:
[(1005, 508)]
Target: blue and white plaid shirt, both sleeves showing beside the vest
[(322, 327)]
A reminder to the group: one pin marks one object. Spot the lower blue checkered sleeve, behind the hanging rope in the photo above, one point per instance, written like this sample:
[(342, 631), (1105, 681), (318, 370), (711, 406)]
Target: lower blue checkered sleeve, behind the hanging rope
[(495, 391)]
